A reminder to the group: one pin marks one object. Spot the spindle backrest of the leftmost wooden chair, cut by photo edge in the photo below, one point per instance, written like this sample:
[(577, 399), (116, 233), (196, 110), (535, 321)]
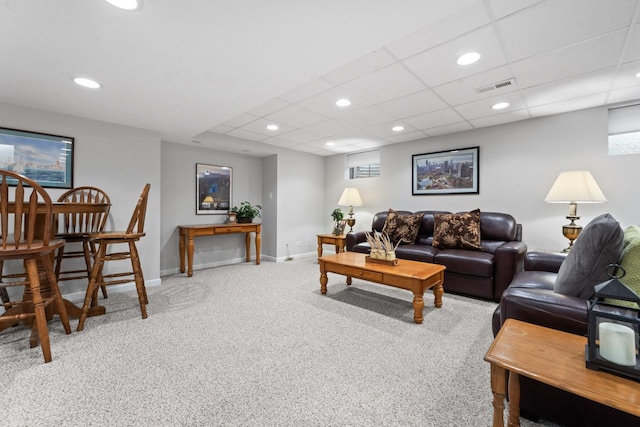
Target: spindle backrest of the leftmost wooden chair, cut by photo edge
[(23, 222)]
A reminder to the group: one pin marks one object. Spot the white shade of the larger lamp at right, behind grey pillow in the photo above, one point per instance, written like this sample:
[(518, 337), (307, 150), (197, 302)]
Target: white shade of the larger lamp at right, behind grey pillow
[(575, 187)]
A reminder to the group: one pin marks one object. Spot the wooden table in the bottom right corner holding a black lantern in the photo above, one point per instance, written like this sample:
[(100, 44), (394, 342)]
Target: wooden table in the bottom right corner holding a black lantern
[(552, 357)]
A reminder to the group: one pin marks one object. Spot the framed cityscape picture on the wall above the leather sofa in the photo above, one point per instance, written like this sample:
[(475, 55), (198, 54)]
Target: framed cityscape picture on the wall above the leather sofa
[(446, 172)]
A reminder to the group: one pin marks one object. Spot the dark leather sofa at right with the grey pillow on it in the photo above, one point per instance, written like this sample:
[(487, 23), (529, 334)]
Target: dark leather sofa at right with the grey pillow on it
[(530, 297)]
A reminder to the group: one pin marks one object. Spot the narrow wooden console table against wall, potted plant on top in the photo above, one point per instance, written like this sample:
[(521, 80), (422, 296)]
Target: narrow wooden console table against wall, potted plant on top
[(190, 232)]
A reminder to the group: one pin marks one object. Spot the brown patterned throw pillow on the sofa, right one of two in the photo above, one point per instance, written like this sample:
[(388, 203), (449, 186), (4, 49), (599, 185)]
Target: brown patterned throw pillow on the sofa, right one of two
[(457, 231)]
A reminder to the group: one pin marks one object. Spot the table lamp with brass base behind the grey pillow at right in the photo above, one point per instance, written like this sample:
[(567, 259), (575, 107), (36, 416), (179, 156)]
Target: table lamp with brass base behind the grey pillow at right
[(574, 187)]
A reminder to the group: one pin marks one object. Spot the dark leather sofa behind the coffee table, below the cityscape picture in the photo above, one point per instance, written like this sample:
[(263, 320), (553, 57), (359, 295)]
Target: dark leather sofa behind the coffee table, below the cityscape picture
[(485, 274)]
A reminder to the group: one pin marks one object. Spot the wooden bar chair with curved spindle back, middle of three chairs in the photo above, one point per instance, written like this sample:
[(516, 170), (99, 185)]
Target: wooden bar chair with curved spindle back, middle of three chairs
[(77, 230)]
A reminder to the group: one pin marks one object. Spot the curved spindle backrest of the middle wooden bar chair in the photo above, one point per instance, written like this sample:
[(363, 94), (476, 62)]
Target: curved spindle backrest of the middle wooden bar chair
[(84, 222)]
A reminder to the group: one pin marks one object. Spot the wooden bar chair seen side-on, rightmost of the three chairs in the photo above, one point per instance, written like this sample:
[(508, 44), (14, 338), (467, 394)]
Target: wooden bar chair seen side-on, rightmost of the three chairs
[(103, 254)]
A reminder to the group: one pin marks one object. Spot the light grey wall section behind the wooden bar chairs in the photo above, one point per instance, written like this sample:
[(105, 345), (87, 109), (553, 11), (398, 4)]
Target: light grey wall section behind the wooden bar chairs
[(118, 159)]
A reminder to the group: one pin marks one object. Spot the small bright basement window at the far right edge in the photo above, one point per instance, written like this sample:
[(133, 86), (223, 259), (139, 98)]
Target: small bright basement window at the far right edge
[(624, 130)]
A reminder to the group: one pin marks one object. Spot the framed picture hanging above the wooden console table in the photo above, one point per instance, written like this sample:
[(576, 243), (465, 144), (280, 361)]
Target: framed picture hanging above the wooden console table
[(214, 186)]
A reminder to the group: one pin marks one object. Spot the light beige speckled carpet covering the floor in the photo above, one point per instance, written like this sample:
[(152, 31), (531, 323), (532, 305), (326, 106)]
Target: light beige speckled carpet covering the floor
[(247, 345)]
